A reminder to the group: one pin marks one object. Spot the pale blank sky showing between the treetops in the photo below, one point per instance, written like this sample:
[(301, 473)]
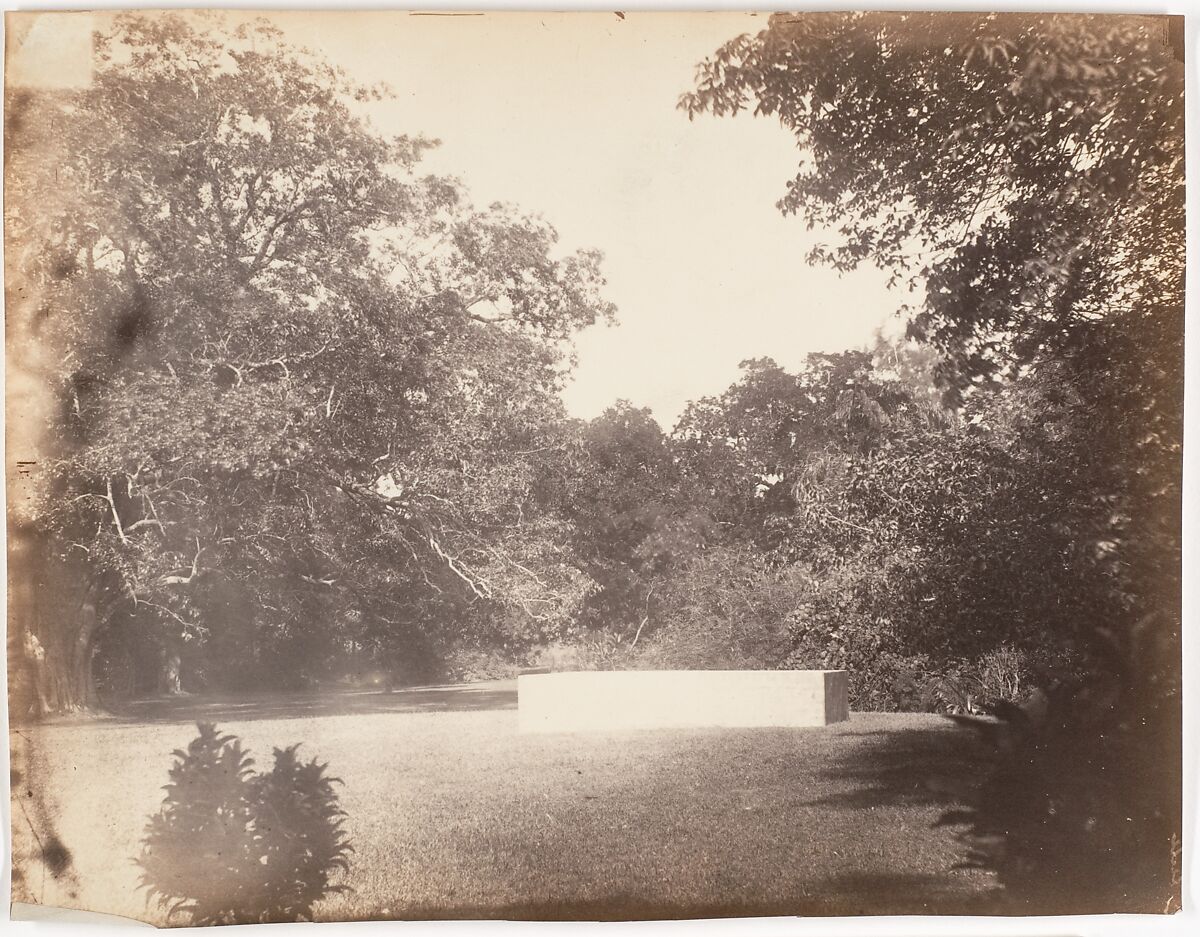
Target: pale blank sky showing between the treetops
[(573, 117)]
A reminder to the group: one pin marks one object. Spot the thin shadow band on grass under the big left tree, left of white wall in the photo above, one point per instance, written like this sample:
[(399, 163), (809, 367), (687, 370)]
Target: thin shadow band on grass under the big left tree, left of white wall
[(465, 699)]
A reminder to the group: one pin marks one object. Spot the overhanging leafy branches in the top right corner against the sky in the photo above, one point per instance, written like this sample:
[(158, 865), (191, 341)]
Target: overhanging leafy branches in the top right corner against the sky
[(1028, 166)]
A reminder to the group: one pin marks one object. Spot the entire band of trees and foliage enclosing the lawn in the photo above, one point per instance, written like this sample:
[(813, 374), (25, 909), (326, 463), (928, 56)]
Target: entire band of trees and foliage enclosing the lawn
[(295, 410)]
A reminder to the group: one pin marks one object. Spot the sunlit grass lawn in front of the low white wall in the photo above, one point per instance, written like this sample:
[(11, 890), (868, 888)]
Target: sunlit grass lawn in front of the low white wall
[(453, 814)]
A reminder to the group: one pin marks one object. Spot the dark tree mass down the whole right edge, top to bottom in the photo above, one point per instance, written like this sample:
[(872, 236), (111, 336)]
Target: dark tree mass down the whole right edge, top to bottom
[(1025, 175)]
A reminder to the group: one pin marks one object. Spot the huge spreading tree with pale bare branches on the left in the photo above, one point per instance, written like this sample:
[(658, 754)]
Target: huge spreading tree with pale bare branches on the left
[(268, 353)]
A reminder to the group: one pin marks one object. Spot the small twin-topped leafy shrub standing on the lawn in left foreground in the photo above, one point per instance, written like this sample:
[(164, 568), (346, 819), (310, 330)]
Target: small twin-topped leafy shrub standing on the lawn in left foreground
[(233, 846)]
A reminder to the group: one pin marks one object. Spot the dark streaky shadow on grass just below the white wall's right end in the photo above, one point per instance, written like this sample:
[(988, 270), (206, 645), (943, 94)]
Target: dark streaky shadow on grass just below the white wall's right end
[(910, 767)]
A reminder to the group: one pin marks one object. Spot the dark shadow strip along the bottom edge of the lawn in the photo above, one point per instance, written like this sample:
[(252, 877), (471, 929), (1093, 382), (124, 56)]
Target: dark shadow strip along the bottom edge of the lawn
[(841, 897)]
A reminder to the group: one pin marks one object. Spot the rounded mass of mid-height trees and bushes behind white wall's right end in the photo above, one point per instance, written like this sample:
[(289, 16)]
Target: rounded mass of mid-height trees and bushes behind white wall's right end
[(904, 544)]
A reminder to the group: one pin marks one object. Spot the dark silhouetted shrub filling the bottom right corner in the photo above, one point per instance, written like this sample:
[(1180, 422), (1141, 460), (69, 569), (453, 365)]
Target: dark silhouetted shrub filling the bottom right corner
[(1070, 801)]
